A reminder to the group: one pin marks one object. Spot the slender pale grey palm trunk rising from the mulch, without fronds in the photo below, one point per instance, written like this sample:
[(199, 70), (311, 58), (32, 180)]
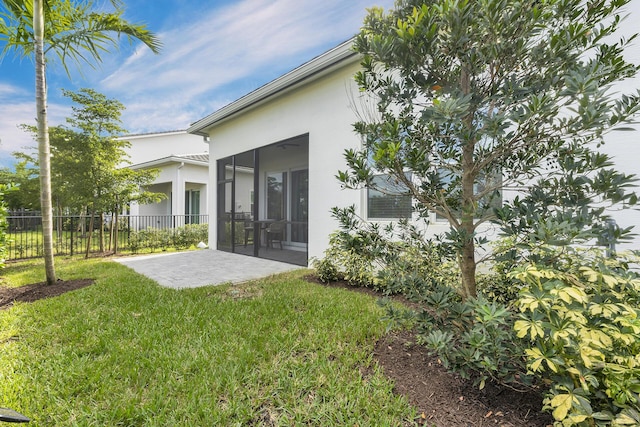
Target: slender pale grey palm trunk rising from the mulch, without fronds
[(44, 155)]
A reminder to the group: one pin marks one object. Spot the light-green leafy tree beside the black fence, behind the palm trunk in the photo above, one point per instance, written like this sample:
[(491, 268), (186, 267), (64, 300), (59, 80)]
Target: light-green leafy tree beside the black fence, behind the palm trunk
[(87, 155)]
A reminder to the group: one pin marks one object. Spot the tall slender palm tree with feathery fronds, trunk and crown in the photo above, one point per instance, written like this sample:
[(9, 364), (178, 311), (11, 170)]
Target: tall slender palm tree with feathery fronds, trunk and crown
[(69, 29)]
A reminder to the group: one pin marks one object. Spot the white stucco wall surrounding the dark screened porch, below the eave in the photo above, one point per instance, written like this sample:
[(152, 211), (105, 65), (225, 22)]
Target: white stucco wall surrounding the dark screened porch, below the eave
[(325, 110)]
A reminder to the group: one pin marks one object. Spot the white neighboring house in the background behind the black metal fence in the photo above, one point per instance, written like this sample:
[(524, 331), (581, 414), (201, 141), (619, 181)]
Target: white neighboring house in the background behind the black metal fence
[(182, 179)]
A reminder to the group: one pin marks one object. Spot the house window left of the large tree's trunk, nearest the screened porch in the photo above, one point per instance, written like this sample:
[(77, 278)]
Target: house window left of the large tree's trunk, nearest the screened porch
[(388, 198)]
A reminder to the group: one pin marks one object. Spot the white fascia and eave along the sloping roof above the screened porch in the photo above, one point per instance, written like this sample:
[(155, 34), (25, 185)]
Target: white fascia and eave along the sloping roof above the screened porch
[(308, 71)]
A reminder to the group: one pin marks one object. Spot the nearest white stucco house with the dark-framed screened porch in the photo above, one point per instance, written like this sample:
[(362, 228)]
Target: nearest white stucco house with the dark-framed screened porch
[(278, 150)]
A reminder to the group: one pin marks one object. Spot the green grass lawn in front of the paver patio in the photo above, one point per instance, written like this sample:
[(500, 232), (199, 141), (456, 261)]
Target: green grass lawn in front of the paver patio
[(126, 352)]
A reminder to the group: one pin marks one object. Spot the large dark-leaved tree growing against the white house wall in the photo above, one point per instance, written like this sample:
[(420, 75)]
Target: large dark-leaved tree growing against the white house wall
[(474, 96)]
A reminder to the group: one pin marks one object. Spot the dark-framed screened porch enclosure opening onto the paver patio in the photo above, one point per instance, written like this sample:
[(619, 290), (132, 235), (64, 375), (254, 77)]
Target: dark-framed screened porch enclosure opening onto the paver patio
[(262, 201)]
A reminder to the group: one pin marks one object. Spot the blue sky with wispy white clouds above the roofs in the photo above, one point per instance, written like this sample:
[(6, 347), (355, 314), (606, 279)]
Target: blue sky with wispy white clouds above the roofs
[(213, 53)]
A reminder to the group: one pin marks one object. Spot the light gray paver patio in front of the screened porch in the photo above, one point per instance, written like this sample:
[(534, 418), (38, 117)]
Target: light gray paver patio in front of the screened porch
[(203, 267)]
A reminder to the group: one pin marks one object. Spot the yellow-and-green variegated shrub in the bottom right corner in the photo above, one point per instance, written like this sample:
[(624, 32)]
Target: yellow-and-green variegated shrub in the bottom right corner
[(581, 316)]
